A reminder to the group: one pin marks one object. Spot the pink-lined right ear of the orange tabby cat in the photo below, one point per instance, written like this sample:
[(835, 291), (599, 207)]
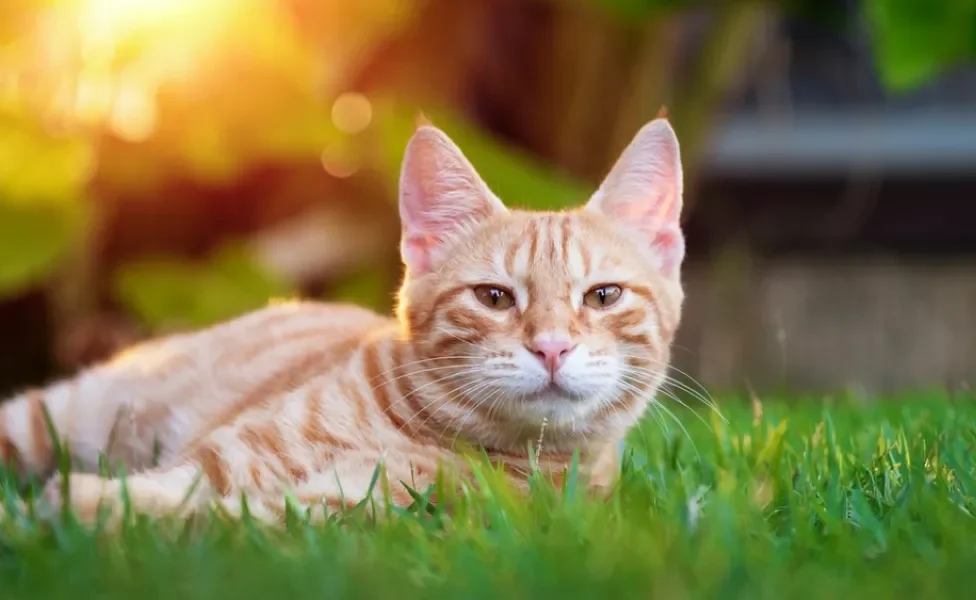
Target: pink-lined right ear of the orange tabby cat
[(643, 192)]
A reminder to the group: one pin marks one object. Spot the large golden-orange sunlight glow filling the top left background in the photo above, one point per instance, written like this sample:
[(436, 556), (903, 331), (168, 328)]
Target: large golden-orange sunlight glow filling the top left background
[(208, 86)]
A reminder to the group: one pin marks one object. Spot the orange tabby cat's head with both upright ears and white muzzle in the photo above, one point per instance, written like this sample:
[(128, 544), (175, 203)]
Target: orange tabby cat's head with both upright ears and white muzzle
[(523, 317)]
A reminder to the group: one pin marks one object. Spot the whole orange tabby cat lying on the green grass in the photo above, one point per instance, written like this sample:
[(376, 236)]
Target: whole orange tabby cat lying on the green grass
[(513, 329)]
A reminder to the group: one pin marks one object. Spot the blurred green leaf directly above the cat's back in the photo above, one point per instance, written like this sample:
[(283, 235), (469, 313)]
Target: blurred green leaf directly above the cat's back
[(173, 293)]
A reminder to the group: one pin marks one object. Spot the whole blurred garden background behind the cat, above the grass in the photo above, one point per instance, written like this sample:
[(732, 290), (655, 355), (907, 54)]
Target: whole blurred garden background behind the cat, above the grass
[(165, 164)]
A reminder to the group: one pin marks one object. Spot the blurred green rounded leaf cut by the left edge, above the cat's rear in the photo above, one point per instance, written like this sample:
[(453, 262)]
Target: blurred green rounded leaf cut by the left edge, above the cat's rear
[(33, 240)]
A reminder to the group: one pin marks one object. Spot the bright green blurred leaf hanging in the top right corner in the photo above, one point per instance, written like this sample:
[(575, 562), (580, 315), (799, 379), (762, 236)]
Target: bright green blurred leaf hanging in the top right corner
[(917, 40)]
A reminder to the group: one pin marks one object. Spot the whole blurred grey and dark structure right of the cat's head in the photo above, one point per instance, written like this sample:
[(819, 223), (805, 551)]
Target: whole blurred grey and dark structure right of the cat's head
[(833, 241)]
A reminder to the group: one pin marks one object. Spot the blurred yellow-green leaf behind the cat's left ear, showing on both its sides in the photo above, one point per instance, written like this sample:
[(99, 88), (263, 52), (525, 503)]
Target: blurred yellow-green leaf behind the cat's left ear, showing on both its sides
[(513, 175)]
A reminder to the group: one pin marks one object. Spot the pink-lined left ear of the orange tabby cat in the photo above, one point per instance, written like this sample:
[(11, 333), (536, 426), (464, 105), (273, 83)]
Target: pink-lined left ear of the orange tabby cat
[(441, 197)]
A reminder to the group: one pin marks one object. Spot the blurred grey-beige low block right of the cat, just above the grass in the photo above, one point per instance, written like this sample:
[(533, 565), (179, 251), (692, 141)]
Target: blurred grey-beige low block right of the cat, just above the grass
[(873, 325)]
